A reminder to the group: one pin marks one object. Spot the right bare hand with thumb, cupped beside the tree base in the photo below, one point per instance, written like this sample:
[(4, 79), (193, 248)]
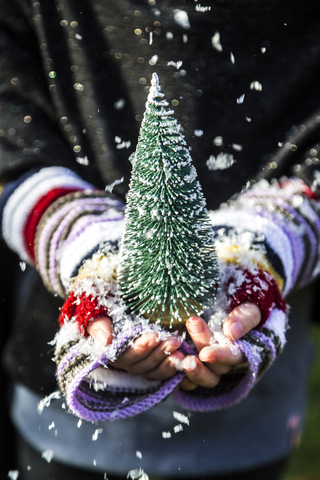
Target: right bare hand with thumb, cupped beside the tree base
[(215, 361)]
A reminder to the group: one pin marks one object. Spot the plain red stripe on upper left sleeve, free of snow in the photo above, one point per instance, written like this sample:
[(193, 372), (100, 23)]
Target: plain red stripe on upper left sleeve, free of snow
[(34, 216)]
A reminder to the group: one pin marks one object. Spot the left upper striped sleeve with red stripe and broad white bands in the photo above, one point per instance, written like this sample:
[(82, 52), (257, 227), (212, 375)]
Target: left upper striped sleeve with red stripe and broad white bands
[(54, 220)]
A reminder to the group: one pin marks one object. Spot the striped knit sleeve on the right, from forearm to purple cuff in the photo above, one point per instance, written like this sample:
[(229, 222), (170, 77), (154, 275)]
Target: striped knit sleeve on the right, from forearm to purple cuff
[(267, 246)]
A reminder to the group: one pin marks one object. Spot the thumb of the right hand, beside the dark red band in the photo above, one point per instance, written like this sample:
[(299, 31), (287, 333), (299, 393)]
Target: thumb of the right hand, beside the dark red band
[(241, 320)]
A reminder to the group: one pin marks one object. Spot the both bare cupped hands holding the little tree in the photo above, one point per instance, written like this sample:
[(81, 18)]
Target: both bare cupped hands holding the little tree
[(160, 360)]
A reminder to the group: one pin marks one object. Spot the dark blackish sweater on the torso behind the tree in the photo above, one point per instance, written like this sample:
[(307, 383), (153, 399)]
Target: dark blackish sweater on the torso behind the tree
[(74, 76)]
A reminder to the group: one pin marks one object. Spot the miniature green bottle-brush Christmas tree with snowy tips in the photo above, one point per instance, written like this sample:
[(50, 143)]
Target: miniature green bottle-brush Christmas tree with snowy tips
[(168, 269)]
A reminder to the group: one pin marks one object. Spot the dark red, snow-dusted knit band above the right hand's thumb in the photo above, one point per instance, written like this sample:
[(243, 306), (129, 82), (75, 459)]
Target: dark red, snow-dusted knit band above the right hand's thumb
[(250, 290)]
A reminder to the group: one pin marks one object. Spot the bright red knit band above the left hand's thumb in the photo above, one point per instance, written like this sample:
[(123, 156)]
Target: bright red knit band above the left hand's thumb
[(84, 308)]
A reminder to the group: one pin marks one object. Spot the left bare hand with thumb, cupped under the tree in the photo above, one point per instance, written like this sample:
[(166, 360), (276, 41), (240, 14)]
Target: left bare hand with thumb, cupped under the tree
[(149, 357)]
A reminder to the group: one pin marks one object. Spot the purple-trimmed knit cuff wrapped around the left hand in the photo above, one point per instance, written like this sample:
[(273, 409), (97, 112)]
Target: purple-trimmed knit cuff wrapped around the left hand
[(74, 367)]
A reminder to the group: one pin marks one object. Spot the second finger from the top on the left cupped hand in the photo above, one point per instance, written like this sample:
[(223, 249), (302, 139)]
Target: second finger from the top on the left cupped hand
[(156, 357)]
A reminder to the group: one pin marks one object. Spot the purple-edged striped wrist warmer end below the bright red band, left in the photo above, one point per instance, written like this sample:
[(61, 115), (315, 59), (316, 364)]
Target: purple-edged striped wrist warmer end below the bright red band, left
[(96, 394)]
